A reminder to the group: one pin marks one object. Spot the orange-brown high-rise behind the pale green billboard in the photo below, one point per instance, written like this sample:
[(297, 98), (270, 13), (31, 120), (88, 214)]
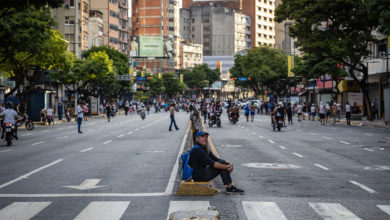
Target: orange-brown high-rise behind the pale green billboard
[(155, 28)]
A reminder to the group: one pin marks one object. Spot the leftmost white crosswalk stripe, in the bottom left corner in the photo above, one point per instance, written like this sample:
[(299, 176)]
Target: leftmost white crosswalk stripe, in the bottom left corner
[(22, 210)]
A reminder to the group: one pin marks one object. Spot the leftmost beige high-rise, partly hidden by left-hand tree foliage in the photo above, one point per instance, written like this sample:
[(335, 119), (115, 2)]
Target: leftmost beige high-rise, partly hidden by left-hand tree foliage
[(72, 21)]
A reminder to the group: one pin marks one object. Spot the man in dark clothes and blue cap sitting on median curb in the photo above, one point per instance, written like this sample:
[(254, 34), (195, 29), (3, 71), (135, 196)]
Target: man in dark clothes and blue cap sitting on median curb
[(207, 166)]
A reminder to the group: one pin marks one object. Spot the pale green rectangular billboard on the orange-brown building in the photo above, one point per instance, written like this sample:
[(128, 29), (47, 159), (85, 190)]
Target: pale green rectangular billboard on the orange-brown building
[(151, 46)]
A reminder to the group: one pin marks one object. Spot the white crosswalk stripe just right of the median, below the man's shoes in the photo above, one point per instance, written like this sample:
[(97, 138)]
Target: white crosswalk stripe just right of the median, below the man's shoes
[(262, 211)]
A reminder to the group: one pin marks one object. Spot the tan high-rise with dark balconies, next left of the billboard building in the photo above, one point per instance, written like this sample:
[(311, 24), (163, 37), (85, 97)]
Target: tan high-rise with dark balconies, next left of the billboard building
[(114, 22)]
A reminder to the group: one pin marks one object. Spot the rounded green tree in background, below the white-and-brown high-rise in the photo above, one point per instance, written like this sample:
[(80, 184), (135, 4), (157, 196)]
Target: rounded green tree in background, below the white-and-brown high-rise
[(263, 65)]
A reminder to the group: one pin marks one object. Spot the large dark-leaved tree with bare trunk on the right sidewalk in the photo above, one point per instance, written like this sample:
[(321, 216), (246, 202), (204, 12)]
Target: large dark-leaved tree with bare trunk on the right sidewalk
[(345, 38)]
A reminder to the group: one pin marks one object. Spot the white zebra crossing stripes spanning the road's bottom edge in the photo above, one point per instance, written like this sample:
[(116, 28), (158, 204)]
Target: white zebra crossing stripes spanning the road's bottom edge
[(253, 210)]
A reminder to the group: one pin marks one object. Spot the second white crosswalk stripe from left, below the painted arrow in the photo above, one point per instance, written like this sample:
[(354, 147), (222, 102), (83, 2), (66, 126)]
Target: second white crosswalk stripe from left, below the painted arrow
[(104, 210)]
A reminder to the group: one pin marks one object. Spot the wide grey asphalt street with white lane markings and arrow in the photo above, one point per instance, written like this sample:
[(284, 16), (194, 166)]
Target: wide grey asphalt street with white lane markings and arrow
[(127, 169)]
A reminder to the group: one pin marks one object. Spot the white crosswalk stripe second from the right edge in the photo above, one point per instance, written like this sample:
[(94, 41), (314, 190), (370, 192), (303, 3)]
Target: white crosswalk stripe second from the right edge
[(333, 211)]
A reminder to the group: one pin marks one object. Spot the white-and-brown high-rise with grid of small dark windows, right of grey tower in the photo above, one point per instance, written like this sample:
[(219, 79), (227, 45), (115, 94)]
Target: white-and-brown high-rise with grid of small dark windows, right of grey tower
[(262, 13)]
